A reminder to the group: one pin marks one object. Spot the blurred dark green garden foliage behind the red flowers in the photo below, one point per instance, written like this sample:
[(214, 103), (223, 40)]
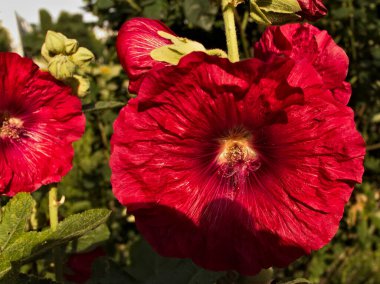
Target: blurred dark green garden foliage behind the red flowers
[(354, 254)]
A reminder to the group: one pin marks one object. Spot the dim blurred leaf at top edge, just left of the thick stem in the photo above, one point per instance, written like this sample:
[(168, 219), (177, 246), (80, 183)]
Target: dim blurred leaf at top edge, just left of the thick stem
[(200, 13)]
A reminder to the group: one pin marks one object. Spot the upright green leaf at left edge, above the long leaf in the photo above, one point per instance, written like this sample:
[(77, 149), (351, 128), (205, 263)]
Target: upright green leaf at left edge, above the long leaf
[(14, 218)]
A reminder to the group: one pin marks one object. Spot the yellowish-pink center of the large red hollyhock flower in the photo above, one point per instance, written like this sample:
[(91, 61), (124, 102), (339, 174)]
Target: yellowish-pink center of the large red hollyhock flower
[(237, 157)]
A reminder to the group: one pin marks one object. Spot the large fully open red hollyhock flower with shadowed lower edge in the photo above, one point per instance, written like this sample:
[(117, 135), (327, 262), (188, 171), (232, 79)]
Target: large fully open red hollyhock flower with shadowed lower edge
[(237, 166)]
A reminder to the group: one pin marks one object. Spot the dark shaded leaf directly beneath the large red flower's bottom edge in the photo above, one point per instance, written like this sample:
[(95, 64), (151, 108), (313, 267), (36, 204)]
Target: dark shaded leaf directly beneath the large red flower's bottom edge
[(150, 268)]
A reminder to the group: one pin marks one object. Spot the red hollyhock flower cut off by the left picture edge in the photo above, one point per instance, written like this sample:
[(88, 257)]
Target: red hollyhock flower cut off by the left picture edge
[(39, 119)]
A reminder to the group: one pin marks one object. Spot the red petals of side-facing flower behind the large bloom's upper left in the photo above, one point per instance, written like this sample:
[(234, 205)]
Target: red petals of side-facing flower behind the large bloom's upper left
[(136, 39)]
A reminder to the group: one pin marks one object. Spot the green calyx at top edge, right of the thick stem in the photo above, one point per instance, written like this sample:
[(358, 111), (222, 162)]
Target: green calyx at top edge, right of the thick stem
[(273, 12)]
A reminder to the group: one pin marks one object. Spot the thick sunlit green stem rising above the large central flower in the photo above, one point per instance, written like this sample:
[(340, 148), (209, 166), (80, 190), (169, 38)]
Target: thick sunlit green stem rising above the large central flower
[(230, 29)]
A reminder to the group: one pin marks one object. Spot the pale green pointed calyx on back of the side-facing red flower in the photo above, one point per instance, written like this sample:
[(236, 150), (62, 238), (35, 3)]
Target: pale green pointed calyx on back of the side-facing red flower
[(180, 47)]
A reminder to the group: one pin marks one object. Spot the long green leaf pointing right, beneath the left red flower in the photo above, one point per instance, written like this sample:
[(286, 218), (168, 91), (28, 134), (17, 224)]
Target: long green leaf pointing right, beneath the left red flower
[(30, 245)]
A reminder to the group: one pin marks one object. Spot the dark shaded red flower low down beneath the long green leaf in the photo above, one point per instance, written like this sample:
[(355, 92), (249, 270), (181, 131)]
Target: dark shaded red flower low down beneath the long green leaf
[(80, 265)]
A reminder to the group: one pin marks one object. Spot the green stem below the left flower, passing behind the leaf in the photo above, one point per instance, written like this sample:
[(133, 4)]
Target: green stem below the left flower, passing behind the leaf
[(53, 215)]
